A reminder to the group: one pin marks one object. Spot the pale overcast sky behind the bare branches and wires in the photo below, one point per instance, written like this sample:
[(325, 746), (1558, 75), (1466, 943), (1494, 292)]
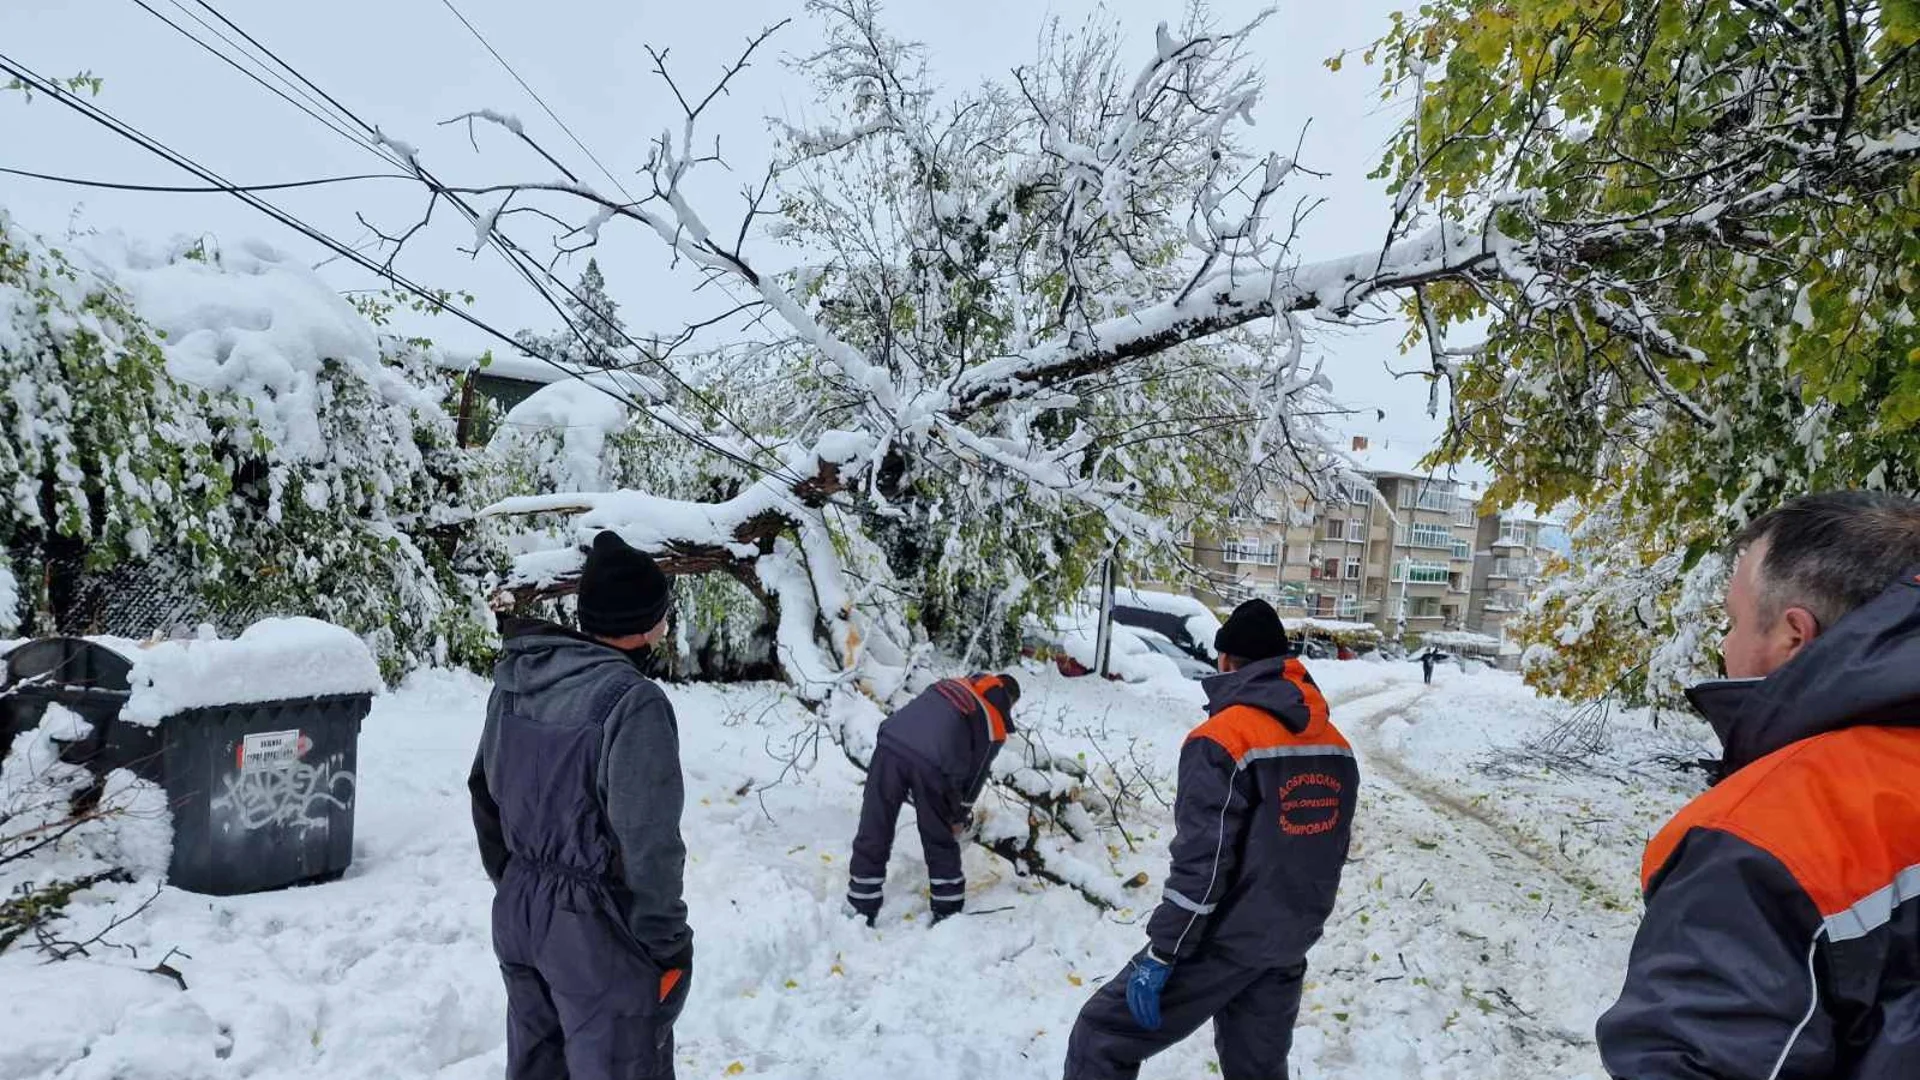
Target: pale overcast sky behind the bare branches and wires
[(410, 64)]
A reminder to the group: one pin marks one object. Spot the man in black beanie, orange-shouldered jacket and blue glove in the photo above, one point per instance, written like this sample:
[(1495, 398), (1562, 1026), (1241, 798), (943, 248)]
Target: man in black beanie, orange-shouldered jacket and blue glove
[(1264, 816)]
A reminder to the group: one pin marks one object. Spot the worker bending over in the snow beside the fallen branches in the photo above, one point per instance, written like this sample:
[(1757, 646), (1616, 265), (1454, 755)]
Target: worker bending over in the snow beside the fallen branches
[(936, 754)]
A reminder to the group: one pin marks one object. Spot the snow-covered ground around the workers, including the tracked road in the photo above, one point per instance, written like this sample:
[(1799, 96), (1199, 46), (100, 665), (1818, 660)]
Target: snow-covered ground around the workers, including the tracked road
[(1483, 923)]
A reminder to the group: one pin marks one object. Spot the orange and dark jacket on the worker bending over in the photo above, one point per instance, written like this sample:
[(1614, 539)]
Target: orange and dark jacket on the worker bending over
[(955, 729)]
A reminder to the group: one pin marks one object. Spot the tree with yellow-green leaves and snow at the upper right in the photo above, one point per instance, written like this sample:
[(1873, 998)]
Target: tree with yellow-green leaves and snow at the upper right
[(1706, 293)]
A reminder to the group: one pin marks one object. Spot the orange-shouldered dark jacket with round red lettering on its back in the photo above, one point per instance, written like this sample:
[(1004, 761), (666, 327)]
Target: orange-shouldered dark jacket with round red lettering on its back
[(1264, 818)]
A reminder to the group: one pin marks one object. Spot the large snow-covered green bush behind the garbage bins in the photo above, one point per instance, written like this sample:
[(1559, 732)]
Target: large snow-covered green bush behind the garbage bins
[(220, 416)]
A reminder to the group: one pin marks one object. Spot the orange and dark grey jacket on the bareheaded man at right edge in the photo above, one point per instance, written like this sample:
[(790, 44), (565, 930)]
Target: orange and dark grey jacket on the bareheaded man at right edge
[(1783, 929)]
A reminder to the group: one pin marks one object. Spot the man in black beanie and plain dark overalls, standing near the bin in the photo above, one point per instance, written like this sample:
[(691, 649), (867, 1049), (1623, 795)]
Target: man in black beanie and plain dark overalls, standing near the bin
[(577, 800)]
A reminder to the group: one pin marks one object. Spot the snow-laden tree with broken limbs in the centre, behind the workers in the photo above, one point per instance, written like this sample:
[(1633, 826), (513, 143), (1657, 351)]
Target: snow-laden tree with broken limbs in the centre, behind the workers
[(988, 337)]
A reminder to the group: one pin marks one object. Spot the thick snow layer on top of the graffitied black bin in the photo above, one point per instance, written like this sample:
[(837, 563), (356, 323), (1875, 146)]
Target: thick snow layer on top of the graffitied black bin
[(274, 660)]
